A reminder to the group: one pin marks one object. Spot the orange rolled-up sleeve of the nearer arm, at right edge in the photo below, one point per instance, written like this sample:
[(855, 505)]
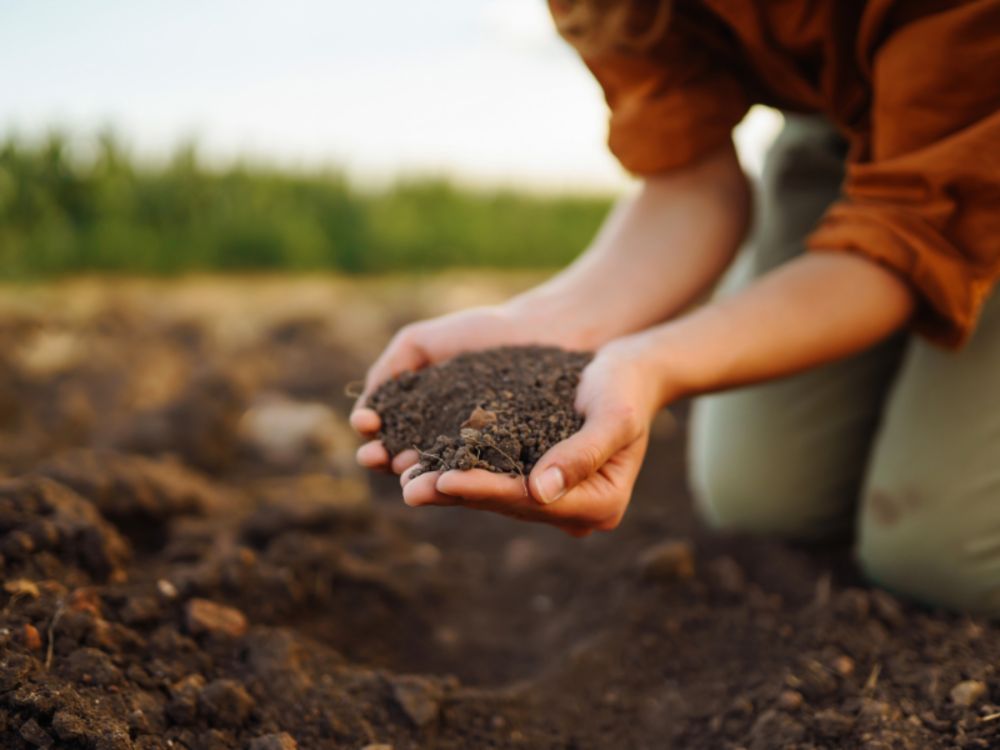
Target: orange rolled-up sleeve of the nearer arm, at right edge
[(924, 197)]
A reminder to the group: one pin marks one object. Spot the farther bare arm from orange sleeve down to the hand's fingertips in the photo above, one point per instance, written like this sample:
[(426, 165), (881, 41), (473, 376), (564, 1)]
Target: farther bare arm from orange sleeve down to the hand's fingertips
[(657, 252)]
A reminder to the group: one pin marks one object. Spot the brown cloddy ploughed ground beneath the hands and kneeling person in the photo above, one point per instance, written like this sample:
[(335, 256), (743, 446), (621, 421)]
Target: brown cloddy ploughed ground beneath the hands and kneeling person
[(226, 580)]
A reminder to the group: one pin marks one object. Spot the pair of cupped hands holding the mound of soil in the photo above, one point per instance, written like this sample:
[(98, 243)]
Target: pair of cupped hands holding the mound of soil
[(582, 484)]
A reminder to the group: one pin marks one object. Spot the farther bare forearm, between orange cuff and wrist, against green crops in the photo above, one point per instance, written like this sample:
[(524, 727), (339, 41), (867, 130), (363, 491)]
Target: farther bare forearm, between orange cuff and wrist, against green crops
[(657, 252)]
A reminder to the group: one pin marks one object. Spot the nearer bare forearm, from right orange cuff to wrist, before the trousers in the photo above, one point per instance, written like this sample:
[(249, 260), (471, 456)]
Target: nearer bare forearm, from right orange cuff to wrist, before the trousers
[(813, 310)]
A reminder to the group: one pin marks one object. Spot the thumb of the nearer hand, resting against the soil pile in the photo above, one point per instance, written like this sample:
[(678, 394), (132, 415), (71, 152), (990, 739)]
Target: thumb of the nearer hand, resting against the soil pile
[(606, 431)]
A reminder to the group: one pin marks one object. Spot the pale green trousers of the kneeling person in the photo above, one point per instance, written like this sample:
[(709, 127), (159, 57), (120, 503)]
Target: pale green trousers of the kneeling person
[(900, 443)]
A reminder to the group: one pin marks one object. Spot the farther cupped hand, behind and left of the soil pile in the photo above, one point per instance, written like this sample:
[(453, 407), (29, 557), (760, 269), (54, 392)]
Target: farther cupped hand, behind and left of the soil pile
[(430, 341)]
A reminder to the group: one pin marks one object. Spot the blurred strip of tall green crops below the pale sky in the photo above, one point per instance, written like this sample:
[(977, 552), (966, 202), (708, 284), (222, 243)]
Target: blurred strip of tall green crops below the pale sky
[(61, 213)]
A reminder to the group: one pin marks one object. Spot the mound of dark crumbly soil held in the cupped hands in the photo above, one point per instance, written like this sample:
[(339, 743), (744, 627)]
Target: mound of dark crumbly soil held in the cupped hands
[(498, 409)]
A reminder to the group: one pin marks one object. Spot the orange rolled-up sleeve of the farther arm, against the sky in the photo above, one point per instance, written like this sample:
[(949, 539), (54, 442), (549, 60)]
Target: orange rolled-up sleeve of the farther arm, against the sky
[(670, 105)]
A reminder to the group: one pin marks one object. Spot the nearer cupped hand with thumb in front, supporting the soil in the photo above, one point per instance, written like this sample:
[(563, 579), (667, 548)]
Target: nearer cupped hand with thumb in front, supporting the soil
[(584, 483)]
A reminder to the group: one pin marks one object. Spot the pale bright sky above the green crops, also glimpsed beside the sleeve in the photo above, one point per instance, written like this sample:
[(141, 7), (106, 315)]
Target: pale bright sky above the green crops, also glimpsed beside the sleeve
[(480, 89)]
